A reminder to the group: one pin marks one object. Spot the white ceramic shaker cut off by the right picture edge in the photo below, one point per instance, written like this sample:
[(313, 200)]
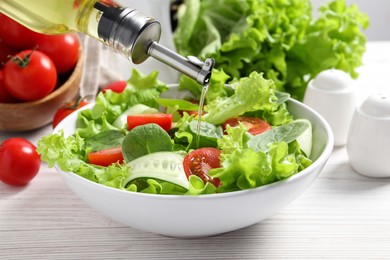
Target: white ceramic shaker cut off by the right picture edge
[(368, 143)]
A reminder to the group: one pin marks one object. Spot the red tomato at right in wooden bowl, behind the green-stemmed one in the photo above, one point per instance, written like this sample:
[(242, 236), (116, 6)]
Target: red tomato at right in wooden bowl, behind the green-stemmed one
[(62, 49)]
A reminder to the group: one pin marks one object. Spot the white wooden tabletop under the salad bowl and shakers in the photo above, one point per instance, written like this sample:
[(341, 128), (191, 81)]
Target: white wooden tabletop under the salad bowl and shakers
[(341, 215)]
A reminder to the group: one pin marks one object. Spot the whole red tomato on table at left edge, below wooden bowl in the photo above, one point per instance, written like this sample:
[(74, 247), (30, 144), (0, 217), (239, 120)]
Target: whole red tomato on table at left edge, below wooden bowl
[(19, 161)]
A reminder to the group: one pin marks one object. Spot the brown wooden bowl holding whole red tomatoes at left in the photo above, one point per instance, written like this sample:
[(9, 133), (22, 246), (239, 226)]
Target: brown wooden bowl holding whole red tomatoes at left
[(25, 116)]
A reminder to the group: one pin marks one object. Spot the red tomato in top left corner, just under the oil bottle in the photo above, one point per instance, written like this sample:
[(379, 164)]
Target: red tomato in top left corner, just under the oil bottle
[(16, 35)]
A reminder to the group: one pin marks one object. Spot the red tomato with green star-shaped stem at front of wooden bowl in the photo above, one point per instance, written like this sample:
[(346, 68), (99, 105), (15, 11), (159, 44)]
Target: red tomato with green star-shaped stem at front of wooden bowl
[(30, 75)]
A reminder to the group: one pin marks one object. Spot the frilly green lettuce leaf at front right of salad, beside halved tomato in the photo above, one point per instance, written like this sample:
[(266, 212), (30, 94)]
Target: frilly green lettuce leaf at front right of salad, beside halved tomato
[(246, 169)]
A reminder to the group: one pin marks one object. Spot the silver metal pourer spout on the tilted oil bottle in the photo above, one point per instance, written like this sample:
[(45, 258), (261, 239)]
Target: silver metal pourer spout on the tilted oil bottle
[(136, 36)]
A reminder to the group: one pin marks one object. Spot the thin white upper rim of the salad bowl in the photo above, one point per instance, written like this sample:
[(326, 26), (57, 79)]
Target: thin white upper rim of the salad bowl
[(323, 156)]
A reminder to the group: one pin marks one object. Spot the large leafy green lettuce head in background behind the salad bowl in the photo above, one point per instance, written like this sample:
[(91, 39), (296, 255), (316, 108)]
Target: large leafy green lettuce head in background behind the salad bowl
[(280, 38)]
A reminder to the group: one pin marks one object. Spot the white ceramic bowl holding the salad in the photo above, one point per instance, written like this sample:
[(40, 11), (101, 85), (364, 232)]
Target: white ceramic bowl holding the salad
[(204, 215)]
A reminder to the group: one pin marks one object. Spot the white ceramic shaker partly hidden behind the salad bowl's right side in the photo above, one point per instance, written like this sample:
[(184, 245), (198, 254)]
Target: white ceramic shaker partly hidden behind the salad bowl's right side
[(332, 94)]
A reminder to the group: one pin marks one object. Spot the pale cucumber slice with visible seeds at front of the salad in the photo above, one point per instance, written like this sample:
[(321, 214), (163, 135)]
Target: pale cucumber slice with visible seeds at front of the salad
[(166, 166)]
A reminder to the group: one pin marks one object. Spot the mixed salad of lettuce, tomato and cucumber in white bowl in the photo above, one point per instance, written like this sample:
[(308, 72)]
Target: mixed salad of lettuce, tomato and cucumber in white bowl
[(168, 156)]
